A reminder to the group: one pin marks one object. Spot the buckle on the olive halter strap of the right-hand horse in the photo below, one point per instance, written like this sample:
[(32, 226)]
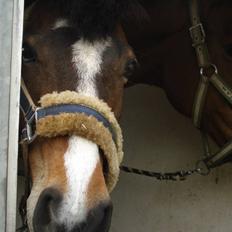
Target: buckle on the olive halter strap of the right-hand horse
[(198, 35)]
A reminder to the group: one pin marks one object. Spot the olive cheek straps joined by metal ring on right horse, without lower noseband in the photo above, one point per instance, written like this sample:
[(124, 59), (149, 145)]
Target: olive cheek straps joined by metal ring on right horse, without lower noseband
[(199, 43)]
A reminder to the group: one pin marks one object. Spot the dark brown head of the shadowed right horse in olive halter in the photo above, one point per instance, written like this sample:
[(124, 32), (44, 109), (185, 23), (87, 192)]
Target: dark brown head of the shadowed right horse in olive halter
[(164, 50)]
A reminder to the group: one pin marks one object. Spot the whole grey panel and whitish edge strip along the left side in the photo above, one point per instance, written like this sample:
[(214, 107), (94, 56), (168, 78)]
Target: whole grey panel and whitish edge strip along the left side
[(11, 26)]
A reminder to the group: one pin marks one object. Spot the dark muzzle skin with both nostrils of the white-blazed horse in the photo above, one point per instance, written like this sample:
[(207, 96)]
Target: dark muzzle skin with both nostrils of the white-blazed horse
[(97, 220)]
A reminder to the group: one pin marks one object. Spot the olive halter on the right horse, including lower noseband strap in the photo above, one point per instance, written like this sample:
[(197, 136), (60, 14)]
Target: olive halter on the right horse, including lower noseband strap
[(204, 62)]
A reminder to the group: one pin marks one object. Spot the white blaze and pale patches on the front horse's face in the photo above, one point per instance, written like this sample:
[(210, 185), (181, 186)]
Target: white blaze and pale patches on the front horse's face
[(82, 156)]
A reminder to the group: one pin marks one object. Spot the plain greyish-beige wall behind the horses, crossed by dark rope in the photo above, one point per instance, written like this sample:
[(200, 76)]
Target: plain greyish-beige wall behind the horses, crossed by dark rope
[(159, 138)]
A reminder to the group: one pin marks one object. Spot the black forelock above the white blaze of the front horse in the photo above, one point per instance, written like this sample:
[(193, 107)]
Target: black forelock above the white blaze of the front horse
[(98, 18)]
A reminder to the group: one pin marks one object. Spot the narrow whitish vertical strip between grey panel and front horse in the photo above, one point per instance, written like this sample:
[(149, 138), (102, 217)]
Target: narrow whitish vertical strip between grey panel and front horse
[(16, 54)]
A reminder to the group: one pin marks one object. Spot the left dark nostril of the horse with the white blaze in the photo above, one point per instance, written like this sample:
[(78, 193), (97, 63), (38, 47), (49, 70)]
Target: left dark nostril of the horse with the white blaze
[(48, 201)]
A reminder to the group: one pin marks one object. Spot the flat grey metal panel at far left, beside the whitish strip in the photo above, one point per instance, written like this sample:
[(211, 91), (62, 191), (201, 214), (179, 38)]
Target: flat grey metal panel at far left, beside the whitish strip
[(6, 11)]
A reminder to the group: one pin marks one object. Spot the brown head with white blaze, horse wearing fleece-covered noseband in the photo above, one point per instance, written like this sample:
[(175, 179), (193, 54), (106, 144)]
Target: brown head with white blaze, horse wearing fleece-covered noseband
[(77, 46)]
